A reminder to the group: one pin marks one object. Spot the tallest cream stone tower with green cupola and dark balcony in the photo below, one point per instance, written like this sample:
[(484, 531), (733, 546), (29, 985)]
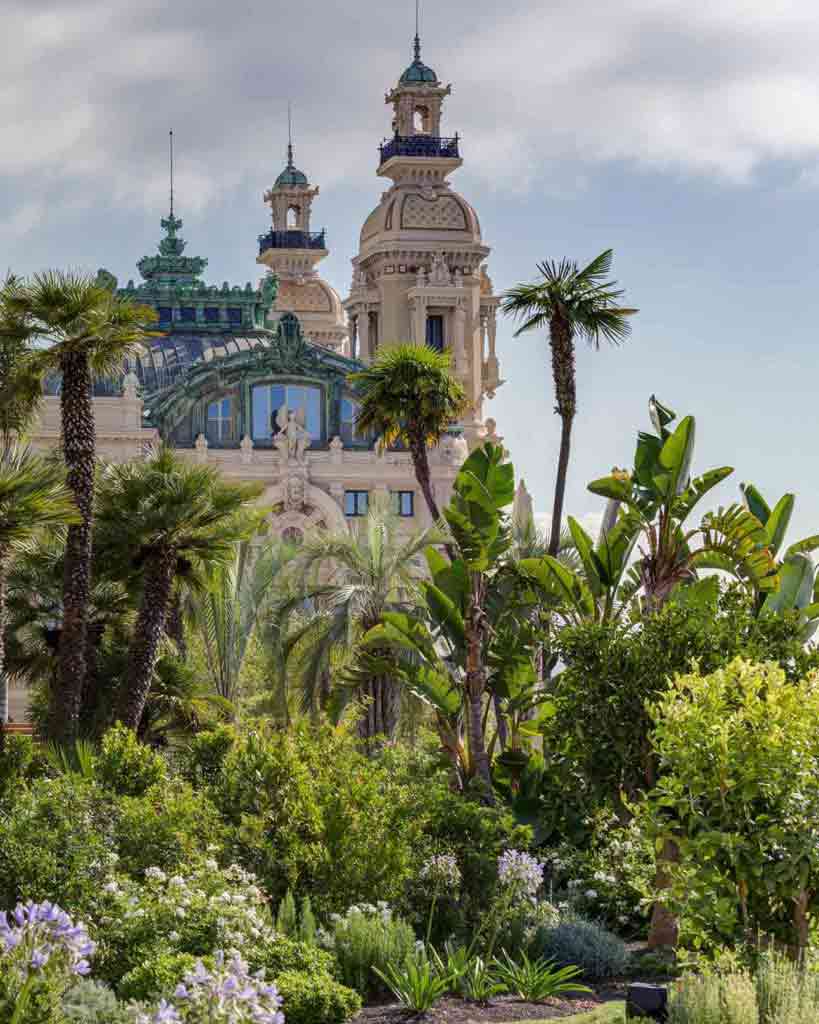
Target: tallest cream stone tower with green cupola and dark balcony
[(419, 275)]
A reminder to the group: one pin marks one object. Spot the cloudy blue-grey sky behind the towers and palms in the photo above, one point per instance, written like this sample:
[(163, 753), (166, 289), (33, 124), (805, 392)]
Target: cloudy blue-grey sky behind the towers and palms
[(684, 137)]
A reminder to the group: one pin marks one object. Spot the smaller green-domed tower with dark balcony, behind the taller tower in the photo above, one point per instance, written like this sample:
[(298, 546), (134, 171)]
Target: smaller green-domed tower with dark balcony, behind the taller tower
[(292, 251)]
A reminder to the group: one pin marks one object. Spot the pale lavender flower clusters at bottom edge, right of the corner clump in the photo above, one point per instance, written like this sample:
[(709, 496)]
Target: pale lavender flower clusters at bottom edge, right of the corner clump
[(228, 995)]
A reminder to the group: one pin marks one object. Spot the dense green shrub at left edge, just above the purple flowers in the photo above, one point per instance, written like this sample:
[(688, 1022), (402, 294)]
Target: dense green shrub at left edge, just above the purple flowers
[(57, 844)]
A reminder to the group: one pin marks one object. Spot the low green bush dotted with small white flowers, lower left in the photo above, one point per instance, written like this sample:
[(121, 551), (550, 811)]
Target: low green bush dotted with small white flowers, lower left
[(206, 909)]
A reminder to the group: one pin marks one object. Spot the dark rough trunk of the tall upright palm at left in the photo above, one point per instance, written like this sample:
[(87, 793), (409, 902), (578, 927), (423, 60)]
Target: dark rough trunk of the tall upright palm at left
[(78, 451)]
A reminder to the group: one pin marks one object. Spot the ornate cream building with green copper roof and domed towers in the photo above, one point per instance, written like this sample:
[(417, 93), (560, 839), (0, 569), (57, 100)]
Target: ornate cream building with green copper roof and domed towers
[(254, 380)]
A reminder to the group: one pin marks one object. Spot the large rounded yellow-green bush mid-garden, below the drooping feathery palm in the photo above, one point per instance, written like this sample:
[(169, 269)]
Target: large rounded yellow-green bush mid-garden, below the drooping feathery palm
[(310, 813)]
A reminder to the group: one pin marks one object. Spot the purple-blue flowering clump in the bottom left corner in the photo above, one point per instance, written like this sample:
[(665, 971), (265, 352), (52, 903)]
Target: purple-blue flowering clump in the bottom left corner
[(41, 951)]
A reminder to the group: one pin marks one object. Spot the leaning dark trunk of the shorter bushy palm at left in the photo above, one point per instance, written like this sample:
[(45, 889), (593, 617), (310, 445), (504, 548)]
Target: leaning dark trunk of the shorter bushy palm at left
[(147, 637)]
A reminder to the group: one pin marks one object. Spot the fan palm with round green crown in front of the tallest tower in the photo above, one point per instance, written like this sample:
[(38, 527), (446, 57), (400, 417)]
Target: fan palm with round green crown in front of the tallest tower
[(409, 397)]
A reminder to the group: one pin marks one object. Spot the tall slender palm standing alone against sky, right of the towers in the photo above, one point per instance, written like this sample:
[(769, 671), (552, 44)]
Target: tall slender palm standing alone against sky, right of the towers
[(571, 302)]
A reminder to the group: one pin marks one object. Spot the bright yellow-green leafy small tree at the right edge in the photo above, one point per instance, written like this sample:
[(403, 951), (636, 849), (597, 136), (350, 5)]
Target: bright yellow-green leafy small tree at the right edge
[(739, 795)]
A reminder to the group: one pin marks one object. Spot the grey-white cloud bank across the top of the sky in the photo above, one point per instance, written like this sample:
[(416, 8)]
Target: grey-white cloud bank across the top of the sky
[(89, 92)]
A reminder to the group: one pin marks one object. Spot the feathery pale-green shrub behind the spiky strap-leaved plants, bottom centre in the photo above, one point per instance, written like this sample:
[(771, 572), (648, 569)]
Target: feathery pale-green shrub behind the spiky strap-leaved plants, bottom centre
[(368, 938)]
